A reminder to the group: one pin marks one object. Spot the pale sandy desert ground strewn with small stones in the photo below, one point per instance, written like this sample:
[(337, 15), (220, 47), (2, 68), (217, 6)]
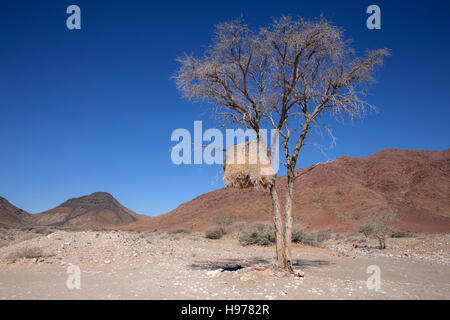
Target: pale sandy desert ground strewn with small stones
[(162, 265)]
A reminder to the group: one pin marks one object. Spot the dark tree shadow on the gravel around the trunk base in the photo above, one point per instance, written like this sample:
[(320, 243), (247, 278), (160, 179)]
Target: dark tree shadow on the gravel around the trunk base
[(236, 264)]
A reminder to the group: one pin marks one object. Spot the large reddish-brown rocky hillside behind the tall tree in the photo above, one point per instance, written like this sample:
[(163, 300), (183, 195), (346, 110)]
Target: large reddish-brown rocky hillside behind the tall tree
[(337, 195)]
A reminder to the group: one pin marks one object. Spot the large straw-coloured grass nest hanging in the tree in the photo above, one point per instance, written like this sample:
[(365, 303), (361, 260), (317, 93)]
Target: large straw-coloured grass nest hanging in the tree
[(247, 165)]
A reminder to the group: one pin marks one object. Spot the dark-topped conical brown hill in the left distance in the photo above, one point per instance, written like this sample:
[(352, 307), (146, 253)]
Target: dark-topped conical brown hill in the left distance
[(98, 210)]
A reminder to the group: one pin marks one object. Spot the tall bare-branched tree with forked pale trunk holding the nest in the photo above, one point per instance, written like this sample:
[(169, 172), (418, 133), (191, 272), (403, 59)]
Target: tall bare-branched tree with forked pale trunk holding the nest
[(287, 76)]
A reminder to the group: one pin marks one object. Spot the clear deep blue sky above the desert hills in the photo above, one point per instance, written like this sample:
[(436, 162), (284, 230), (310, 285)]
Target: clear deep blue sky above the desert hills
[(93, 109)]
